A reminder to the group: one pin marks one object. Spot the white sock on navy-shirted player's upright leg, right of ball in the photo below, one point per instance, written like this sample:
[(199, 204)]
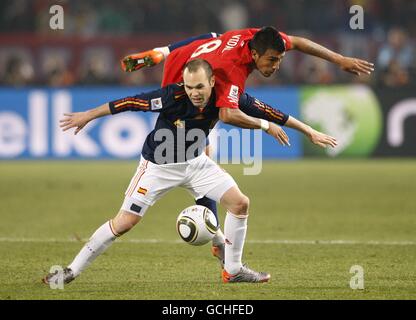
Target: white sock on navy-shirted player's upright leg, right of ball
[(235, 234)]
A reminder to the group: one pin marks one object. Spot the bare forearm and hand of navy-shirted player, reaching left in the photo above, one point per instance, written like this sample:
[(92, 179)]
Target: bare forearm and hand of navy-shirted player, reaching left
[(79, 120)]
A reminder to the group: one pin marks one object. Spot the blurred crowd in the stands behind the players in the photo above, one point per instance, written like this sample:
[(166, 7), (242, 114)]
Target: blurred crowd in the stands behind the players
[(98, 33)]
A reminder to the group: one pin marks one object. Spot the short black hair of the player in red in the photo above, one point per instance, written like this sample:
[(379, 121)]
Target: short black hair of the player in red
[(267, 38)]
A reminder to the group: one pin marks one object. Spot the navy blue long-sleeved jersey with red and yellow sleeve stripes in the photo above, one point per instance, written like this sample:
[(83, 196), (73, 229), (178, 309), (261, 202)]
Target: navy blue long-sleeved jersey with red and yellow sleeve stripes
[(181, 130)]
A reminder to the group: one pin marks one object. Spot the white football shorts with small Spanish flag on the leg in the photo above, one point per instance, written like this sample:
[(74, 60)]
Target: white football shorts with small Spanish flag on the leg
[(201, 176)]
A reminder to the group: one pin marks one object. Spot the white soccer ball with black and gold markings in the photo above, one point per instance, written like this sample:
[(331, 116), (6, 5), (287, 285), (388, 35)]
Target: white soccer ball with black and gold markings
[(197, 225)]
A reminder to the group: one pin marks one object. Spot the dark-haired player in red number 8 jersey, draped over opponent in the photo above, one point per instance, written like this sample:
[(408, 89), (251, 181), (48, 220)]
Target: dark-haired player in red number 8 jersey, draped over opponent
[(233, 56)]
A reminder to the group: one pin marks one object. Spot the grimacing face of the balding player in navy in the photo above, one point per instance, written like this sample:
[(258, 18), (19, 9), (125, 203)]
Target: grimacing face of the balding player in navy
[(198, 87)]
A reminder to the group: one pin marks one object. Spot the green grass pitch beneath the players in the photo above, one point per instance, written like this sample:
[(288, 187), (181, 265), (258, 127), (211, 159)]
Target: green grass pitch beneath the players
[(299, 210)]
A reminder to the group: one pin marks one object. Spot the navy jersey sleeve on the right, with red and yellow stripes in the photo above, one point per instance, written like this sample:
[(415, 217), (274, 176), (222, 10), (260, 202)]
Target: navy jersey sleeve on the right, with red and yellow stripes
[(258, 109)]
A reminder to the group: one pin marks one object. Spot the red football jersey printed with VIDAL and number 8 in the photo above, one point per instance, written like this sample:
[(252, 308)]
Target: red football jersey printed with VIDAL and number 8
[(229, 56)]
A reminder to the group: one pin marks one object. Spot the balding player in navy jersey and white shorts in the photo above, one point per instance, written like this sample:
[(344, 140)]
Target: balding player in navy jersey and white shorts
[(183, 109)]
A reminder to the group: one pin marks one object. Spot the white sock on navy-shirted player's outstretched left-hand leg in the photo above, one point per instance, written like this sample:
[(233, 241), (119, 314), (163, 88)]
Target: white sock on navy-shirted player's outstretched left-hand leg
[(102, 238)]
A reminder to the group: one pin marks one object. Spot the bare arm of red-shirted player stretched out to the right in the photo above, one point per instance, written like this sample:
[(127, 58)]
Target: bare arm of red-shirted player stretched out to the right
[(349, 64)]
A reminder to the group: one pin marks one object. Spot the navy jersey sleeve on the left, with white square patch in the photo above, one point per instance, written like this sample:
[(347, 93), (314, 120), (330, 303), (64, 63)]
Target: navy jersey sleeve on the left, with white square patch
[(153, 101)]
